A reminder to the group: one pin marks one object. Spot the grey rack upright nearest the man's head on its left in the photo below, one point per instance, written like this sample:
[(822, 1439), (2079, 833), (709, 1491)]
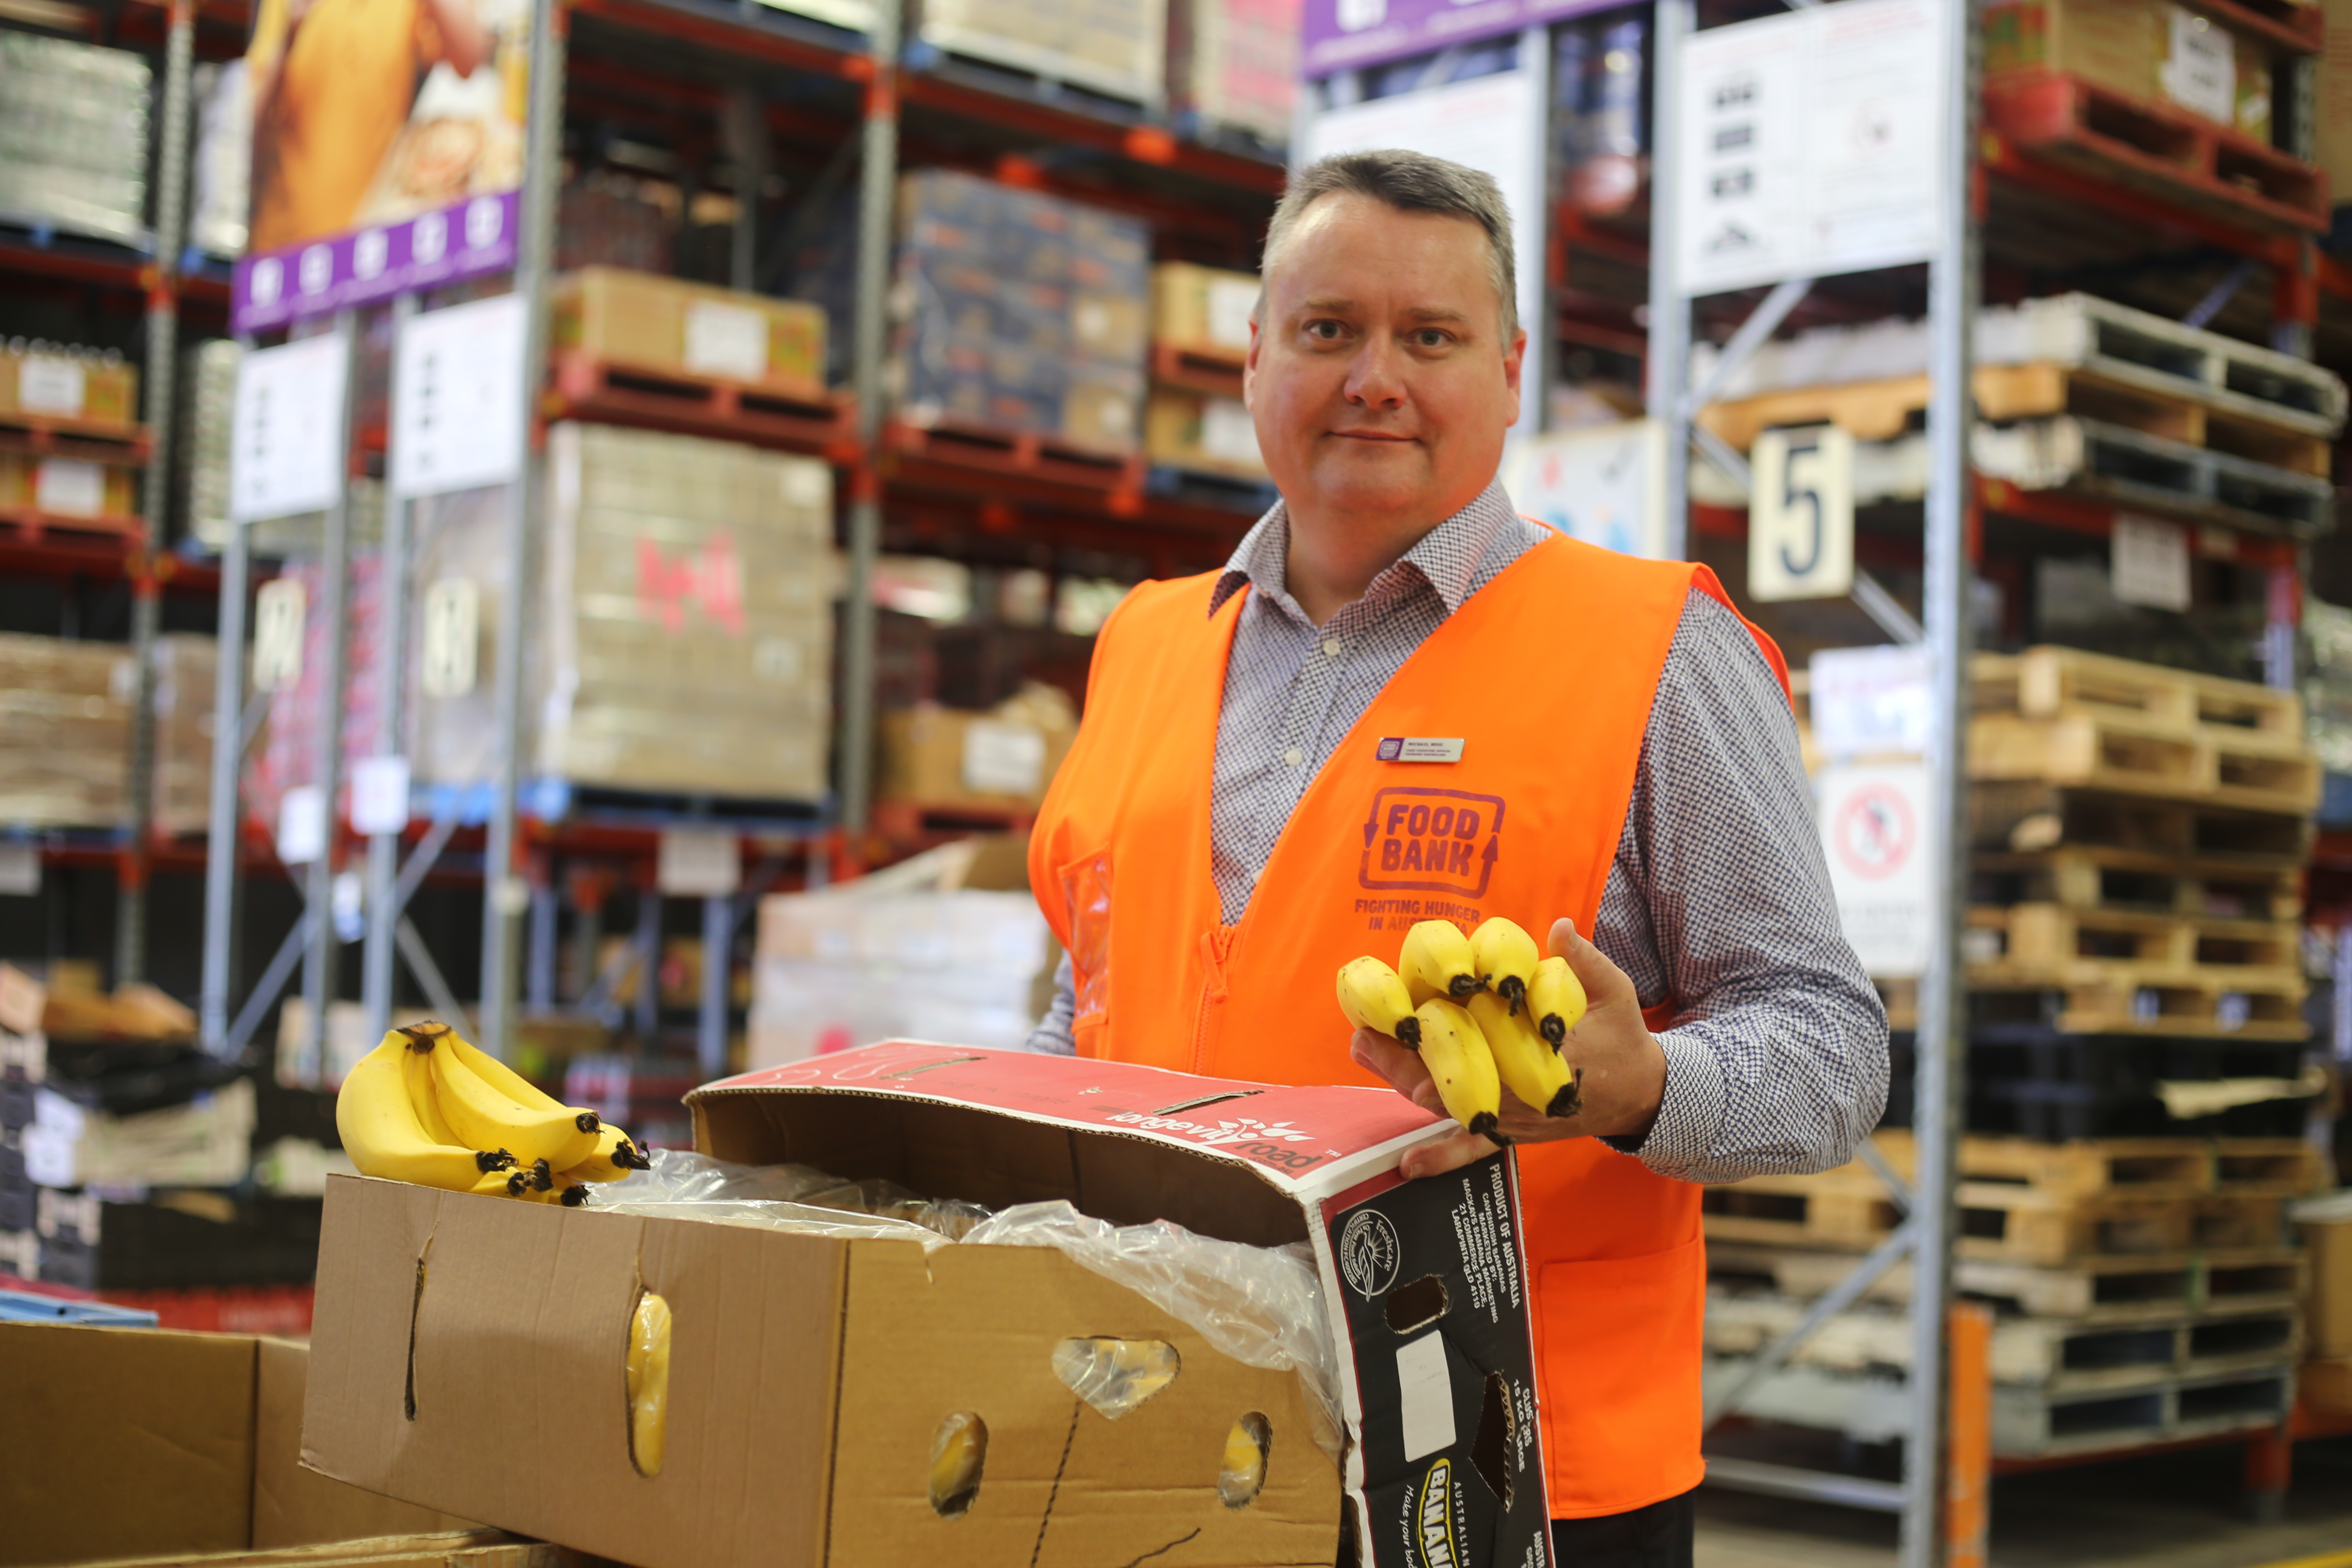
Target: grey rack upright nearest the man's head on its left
[(878, 203)]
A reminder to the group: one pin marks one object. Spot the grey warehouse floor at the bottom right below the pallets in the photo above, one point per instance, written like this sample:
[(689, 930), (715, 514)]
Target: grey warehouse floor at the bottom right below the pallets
[(2170, 1510)]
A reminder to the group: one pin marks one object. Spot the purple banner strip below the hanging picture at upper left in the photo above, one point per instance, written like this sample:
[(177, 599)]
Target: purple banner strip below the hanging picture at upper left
[(359, 269)]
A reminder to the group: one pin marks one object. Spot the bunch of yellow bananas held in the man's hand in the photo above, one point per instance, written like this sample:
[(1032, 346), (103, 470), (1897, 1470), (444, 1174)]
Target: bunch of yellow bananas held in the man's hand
[(1485, 1012)]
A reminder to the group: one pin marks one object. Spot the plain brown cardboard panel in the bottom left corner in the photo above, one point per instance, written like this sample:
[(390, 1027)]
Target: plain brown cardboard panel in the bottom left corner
[(123, 1442)]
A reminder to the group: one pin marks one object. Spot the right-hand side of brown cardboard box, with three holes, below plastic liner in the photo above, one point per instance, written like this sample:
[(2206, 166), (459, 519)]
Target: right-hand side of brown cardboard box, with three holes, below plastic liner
[(975, 1329)]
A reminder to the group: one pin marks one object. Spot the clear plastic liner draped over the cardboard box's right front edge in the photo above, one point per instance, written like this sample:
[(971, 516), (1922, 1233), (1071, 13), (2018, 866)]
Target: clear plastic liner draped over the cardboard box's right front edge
[(1259, 1306)]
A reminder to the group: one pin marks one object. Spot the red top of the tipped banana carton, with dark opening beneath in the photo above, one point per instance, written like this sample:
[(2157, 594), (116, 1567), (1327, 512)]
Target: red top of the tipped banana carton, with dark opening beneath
[(1125, 1144)]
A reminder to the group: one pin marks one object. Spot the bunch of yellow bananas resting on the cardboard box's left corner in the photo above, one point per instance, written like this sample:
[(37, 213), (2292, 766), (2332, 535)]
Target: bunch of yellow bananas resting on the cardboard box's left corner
[(429, 1108)]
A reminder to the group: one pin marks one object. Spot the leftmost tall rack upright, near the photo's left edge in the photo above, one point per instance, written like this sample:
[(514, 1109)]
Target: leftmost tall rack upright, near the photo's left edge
[(156, 488)]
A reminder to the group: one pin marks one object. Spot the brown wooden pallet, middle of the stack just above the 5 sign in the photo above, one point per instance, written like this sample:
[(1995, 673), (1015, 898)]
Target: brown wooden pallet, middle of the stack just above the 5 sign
[(1883, 410)]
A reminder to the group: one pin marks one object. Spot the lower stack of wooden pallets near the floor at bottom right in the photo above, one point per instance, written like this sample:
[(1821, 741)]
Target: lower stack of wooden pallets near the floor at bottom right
[(2146, 1289)]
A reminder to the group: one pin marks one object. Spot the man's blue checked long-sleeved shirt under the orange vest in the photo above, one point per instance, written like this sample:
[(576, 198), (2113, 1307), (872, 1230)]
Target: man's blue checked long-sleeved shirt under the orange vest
[(1718, 897)]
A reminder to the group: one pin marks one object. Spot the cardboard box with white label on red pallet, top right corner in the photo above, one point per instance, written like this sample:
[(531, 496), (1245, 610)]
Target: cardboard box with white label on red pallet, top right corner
[(2146, 51)]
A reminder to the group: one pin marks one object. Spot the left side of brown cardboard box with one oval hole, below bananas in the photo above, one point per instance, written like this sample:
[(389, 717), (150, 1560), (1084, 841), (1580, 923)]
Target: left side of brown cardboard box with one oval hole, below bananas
[(535, 1299)]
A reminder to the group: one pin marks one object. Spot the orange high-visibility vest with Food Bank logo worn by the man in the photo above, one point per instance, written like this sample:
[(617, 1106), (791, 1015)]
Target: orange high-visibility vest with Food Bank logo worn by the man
[(1546, 681)]
